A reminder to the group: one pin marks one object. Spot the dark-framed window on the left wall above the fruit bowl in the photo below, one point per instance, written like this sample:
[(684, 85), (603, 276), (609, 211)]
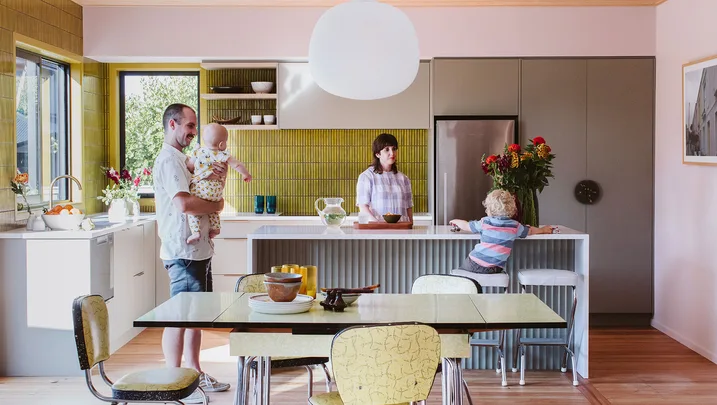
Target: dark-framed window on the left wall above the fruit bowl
[(42, 124)]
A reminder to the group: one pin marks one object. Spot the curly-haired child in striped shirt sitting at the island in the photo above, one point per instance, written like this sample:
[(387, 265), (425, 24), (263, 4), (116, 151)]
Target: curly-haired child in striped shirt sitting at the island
[(497, 234)]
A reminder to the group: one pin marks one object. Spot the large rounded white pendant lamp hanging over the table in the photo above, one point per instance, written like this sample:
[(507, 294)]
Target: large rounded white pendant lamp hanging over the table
[(364, 50)]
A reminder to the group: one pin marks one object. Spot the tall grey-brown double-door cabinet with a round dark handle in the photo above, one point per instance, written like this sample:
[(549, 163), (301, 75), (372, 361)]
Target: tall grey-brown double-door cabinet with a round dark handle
[(598, 116)]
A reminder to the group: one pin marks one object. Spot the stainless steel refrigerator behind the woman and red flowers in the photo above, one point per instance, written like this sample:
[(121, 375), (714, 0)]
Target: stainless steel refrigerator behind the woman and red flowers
[(460, 142)]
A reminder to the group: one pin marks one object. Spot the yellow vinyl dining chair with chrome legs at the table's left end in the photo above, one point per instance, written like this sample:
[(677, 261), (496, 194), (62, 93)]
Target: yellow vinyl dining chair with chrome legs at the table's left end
[(164, 385)]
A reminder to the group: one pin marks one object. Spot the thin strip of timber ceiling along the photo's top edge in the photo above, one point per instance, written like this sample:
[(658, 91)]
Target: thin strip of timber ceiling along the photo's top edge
[(403, 3)]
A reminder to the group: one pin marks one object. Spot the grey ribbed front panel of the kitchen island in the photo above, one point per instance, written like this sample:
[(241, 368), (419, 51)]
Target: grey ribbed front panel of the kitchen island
[(396, 263)]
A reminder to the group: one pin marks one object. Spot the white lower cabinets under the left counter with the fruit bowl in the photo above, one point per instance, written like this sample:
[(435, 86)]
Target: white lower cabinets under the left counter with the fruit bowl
[(40, 278)]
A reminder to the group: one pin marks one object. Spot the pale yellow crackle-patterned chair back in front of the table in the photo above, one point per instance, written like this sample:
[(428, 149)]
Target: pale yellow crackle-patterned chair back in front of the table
[(385, 364)]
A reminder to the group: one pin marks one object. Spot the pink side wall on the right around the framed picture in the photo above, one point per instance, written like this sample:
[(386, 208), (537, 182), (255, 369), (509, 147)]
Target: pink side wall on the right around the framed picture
[(685, 195)]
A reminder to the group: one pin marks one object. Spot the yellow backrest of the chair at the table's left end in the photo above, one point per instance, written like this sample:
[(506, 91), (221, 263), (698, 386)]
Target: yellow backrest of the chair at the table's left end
[(91, 324)]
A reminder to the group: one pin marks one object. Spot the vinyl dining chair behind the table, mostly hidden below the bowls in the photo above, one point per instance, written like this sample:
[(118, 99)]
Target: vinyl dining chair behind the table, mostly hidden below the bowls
[(254, 283)]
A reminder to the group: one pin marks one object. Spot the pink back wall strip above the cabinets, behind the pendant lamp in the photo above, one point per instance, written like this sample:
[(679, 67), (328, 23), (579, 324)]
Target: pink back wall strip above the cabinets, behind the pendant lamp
[(194, 33)]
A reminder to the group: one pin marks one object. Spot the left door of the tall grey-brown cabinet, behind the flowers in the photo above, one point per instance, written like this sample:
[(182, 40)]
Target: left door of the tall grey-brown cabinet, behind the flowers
[(553, 105)]
